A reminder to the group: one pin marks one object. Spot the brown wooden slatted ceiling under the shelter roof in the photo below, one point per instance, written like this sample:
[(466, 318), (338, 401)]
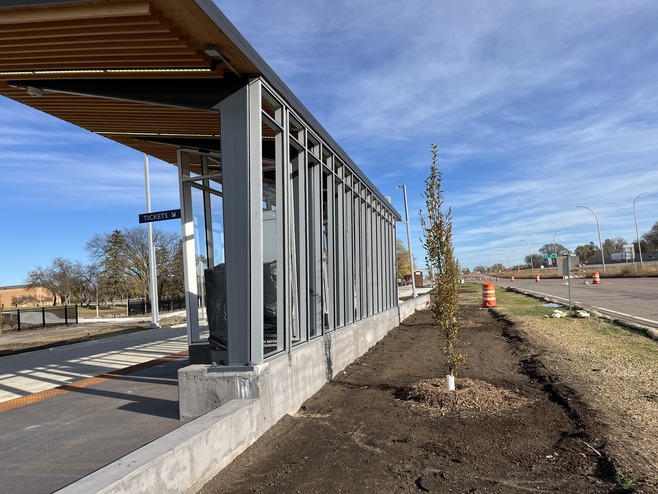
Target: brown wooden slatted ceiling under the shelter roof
[(142, 73)]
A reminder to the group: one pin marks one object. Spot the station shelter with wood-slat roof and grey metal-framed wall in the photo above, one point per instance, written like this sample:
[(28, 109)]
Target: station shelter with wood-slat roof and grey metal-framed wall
[(289, 249)]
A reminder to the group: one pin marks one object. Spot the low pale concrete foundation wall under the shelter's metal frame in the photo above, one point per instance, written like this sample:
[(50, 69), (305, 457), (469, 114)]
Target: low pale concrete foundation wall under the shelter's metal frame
[(234, 407)]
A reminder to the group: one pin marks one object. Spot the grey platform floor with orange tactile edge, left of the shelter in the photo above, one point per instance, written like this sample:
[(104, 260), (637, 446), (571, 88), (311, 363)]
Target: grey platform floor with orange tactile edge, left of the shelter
[(53, 442)]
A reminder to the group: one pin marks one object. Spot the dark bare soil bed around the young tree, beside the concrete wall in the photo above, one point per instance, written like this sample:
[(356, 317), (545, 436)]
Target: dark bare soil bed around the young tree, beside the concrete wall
[(385, 425)]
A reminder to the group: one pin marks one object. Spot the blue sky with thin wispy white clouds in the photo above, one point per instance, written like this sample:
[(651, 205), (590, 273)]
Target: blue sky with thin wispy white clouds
[(536, 107)]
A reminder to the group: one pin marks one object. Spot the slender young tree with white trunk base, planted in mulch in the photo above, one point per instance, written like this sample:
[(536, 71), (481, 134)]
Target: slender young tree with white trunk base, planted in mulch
[(437, 240)]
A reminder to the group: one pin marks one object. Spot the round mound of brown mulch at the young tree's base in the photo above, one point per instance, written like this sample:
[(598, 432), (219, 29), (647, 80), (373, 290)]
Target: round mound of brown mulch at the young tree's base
[(470, 396)]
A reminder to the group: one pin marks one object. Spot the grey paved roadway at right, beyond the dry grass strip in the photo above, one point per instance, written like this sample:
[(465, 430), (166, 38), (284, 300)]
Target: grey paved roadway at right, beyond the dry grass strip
[(633, 299)]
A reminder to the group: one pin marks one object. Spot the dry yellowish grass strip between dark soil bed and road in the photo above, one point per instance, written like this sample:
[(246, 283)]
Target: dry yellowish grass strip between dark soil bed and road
[(613, 370)]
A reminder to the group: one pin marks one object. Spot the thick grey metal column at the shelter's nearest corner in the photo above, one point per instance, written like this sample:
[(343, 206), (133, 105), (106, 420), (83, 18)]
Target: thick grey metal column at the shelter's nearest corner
[(242, 185)]
